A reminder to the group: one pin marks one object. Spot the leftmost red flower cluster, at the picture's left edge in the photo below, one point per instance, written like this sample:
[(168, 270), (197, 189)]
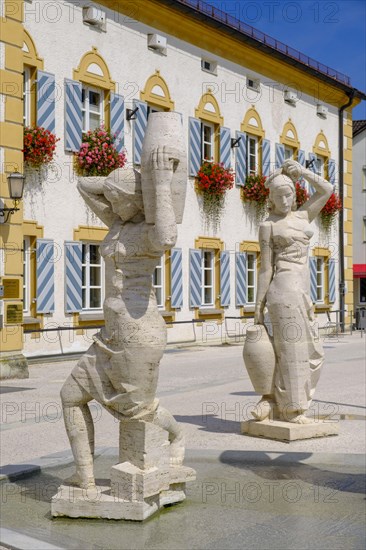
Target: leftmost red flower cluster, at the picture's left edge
[(39, 146)]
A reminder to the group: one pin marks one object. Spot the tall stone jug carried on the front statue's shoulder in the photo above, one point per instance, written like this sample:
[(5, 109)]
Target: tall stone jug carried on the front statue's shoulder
[(164, 129)]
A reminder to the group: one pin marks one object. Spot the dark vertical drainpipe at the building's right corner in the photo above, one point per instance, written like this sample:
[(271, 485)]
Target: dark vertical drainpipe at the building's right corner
[(342, 285)]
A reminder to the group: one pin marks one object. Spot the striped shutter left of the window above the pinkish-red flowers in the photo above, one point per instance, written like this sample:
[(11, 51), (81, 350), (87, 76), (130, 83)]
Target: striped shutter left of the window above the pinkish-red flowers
[(73, 115)]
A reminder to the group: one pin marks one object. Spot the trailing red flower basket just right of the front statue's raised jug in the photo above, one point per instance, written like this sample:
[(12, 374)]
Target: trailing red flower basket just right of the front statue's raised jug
[(212, 182)]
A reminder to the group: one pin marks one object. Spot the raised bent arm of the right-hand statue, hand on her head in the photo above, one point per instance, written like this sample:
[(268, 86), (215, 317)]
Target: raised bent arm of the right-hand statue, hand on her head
[(323, 189)]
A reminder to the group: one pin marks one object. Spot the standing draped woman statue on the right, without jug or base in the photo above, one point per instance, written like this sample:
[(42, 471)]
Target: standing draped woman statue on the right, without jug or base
[(283, 288)]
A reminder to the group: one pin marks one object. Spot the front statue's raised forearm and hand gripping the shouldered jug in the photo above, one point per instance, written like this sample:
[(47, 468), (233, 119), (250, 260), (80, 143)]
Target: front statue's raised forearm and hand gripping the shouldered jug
[(163, 234)]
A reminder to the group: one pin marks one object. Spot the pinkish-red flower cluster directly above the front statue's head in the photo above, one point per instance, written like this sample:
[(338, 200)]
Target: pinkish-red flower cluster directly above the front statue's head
[(98, 155)]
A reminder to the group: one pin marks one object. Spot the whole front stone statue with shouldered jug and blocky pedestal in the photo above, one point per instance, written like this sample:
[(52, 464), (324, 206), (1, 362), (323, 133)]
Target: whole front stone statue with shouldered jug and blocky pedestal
[(120, 369)]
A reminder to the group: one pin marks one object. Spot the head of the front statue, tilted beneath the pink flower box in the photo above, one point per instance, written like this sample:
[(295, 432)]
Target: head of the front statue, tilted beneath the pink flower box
[(122, 188)]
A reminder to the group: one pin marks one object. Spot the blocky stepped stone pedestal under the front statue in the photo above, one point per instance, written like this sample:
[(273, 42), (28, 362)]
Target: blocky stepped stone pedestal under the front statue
[(141, 484)]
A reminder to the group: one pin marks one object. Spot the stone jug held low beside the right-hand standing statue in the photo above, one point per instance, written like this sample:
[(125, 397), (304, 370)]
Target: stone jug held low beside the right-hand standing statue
[(259, 359)]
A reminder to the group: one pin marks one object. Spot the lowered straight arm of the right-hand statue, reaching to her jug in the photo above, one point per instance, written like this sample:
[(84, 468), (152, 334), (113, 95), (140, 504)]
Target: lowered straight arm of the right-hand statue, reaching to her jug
[(266, 270)]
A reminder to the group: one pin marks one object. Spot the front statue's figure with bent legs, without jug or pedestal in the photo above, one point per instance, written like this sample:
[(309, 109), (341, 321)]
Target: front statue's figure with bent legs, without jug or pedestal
[(120, 369)]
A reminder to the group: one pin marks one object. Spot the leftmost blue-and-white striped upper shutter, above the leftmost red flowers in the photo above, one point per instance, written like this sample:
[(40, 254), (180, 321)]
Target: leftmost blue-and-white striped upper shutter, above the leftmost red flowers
[(46, 90)]
